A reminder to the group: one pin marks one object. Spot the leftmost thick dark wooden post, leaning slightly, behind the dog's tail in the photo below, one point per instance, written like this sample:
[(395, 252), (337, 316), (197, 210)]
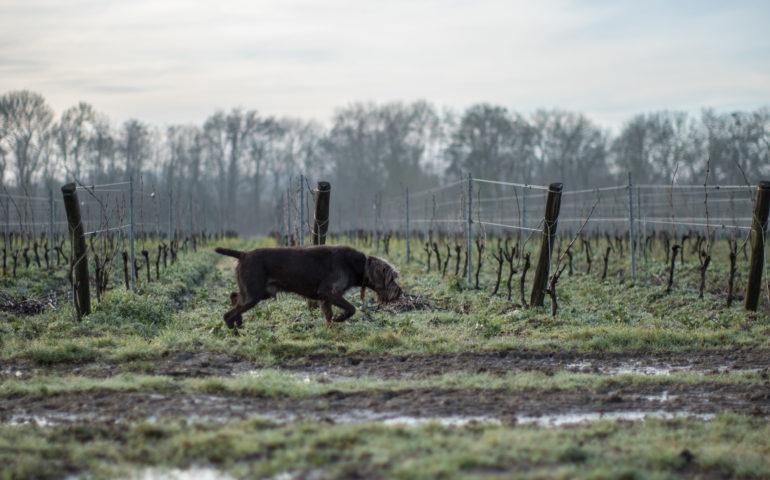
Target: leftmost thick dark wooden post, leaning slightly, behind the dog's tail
[(78, 240)]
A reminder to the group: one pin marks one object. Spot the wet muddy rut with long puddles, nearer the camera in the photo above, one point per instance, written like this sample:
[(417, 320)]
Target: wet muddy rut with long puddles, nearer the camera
[(449, 407)]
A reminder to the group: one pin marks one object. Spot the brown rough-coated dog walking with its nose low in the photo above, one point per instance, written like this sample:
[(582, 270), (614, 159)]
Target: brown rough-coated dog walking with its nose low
[(322, 273)]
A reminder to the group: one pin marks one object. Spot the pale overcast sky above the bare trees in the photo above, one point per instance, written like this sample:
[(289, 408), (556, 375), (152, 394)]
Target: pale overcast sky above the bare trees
[(169, 62)]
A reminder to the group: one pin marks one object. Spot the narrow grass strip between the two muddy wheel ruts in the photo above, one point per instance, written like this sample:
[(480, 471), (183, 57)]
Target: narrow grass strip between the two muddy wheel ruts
[(270, 382)]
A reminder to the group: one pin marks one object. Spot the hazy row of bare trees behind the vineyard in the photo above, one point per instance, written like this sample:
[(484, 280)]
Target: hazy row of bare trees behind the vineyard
[(239, 164)]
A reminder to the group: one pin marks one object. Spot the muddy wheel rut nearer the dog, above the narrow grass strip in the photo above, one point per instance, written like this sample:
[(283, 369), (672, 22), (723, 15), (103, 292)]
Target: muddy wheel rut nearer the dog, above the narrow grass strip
[(200, 364)]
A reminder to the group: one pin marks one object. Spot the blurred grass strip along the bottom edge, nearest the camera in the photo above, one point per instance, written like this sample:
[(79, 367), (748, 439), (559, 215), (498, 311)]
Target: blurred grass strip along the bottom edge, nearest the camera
[(728, 447)]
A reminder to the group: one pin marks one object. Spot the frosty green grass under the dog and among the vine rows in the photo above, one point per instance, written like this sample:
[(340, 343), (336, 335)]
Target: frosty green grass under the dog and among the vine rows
[(184, 311)]
